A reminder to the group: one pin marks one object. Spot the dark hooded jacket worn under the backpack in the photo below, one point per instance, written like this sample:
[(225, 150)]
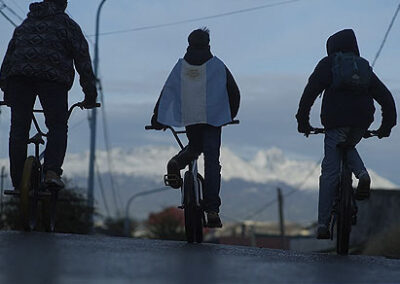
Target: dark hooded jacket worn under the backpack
[(345, 108)]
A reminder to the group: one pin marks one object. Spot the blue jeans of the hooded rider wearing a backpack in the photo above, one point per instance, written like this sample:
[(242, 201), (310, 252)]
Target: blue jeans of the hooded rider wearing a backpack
[(330, 171)]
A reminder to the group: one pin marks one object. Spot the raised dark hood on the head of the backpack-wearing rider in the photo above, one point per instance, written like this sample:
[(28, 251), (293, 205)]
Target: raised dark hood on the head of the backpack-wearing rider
[(343, 41)]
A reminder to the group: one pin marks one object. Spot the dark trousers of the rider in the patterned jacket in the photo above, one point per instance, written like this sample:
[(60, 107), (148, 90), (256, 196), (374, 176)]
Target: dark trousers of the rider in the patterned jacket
[(22, 92)]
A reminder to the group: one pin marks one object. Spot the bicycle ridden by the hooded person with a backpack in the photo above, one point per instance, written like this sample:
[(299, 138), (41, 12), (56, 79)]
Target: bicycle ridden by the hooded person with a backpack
[(345, 208)]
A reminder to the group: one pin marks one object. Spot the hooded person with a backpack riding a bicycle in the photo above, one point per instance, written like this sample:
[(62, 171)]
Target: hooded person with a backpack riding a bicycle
[(350, 88)]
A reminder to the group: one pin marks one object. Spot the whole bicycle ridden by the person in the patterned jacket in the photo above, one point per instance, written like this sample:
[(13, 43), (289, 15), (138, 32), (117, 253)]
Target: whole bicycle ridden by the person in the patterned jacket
[(32, 188)]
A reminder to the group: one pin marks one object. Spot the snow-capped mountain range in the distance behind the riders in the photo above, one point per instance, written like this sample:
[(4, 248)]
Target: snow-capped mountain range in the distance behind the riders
[(267, 166)]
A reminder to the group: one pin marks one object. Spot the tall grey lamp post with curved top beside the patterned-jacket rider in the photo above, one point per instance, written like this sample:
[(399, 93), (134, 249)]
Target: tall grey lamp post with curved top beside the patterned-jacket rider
[(93, 119)]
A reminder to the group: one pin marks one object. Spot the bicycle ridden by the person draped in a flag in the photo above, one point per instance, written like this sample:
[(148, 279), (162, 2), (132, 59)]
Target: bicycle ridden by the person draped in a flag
[(192, 193)]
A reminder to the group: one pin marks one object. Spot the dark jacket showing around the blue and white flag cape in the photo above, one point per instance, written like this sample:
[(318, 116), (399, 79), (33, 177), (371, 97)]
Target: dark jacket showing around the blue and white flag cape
[(199, 56)]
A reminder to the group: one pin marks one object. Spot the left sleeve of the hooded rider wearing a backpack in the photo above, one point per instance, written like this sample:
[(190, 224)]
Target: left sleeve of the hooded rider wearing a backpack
[(319, 80)]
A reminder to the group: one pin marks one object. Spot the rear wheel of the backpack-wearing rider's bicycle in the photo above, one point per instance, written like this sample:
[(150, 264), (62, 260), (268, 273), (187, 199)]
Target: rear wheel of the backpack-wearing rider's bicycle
[(344, 216)]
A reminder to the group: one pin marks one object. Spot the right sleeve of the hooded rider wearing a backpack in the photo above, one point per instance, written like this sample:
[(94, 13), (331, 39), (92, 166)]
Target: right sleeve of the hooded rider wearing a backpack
[(385, 99)]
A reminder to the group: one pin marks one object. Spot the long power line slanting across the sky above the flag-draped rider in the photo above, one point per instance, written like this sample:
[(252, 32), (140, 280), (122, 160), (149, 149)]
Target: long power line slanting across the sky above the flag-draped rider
[(198, 19)]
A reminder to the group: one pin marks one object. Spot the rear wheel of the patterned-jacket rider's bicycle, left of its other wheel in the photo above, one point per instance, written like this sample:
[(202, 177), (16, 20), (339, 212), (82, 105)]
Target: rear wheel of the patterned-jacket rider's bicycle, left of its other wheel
[(29, 194)]
